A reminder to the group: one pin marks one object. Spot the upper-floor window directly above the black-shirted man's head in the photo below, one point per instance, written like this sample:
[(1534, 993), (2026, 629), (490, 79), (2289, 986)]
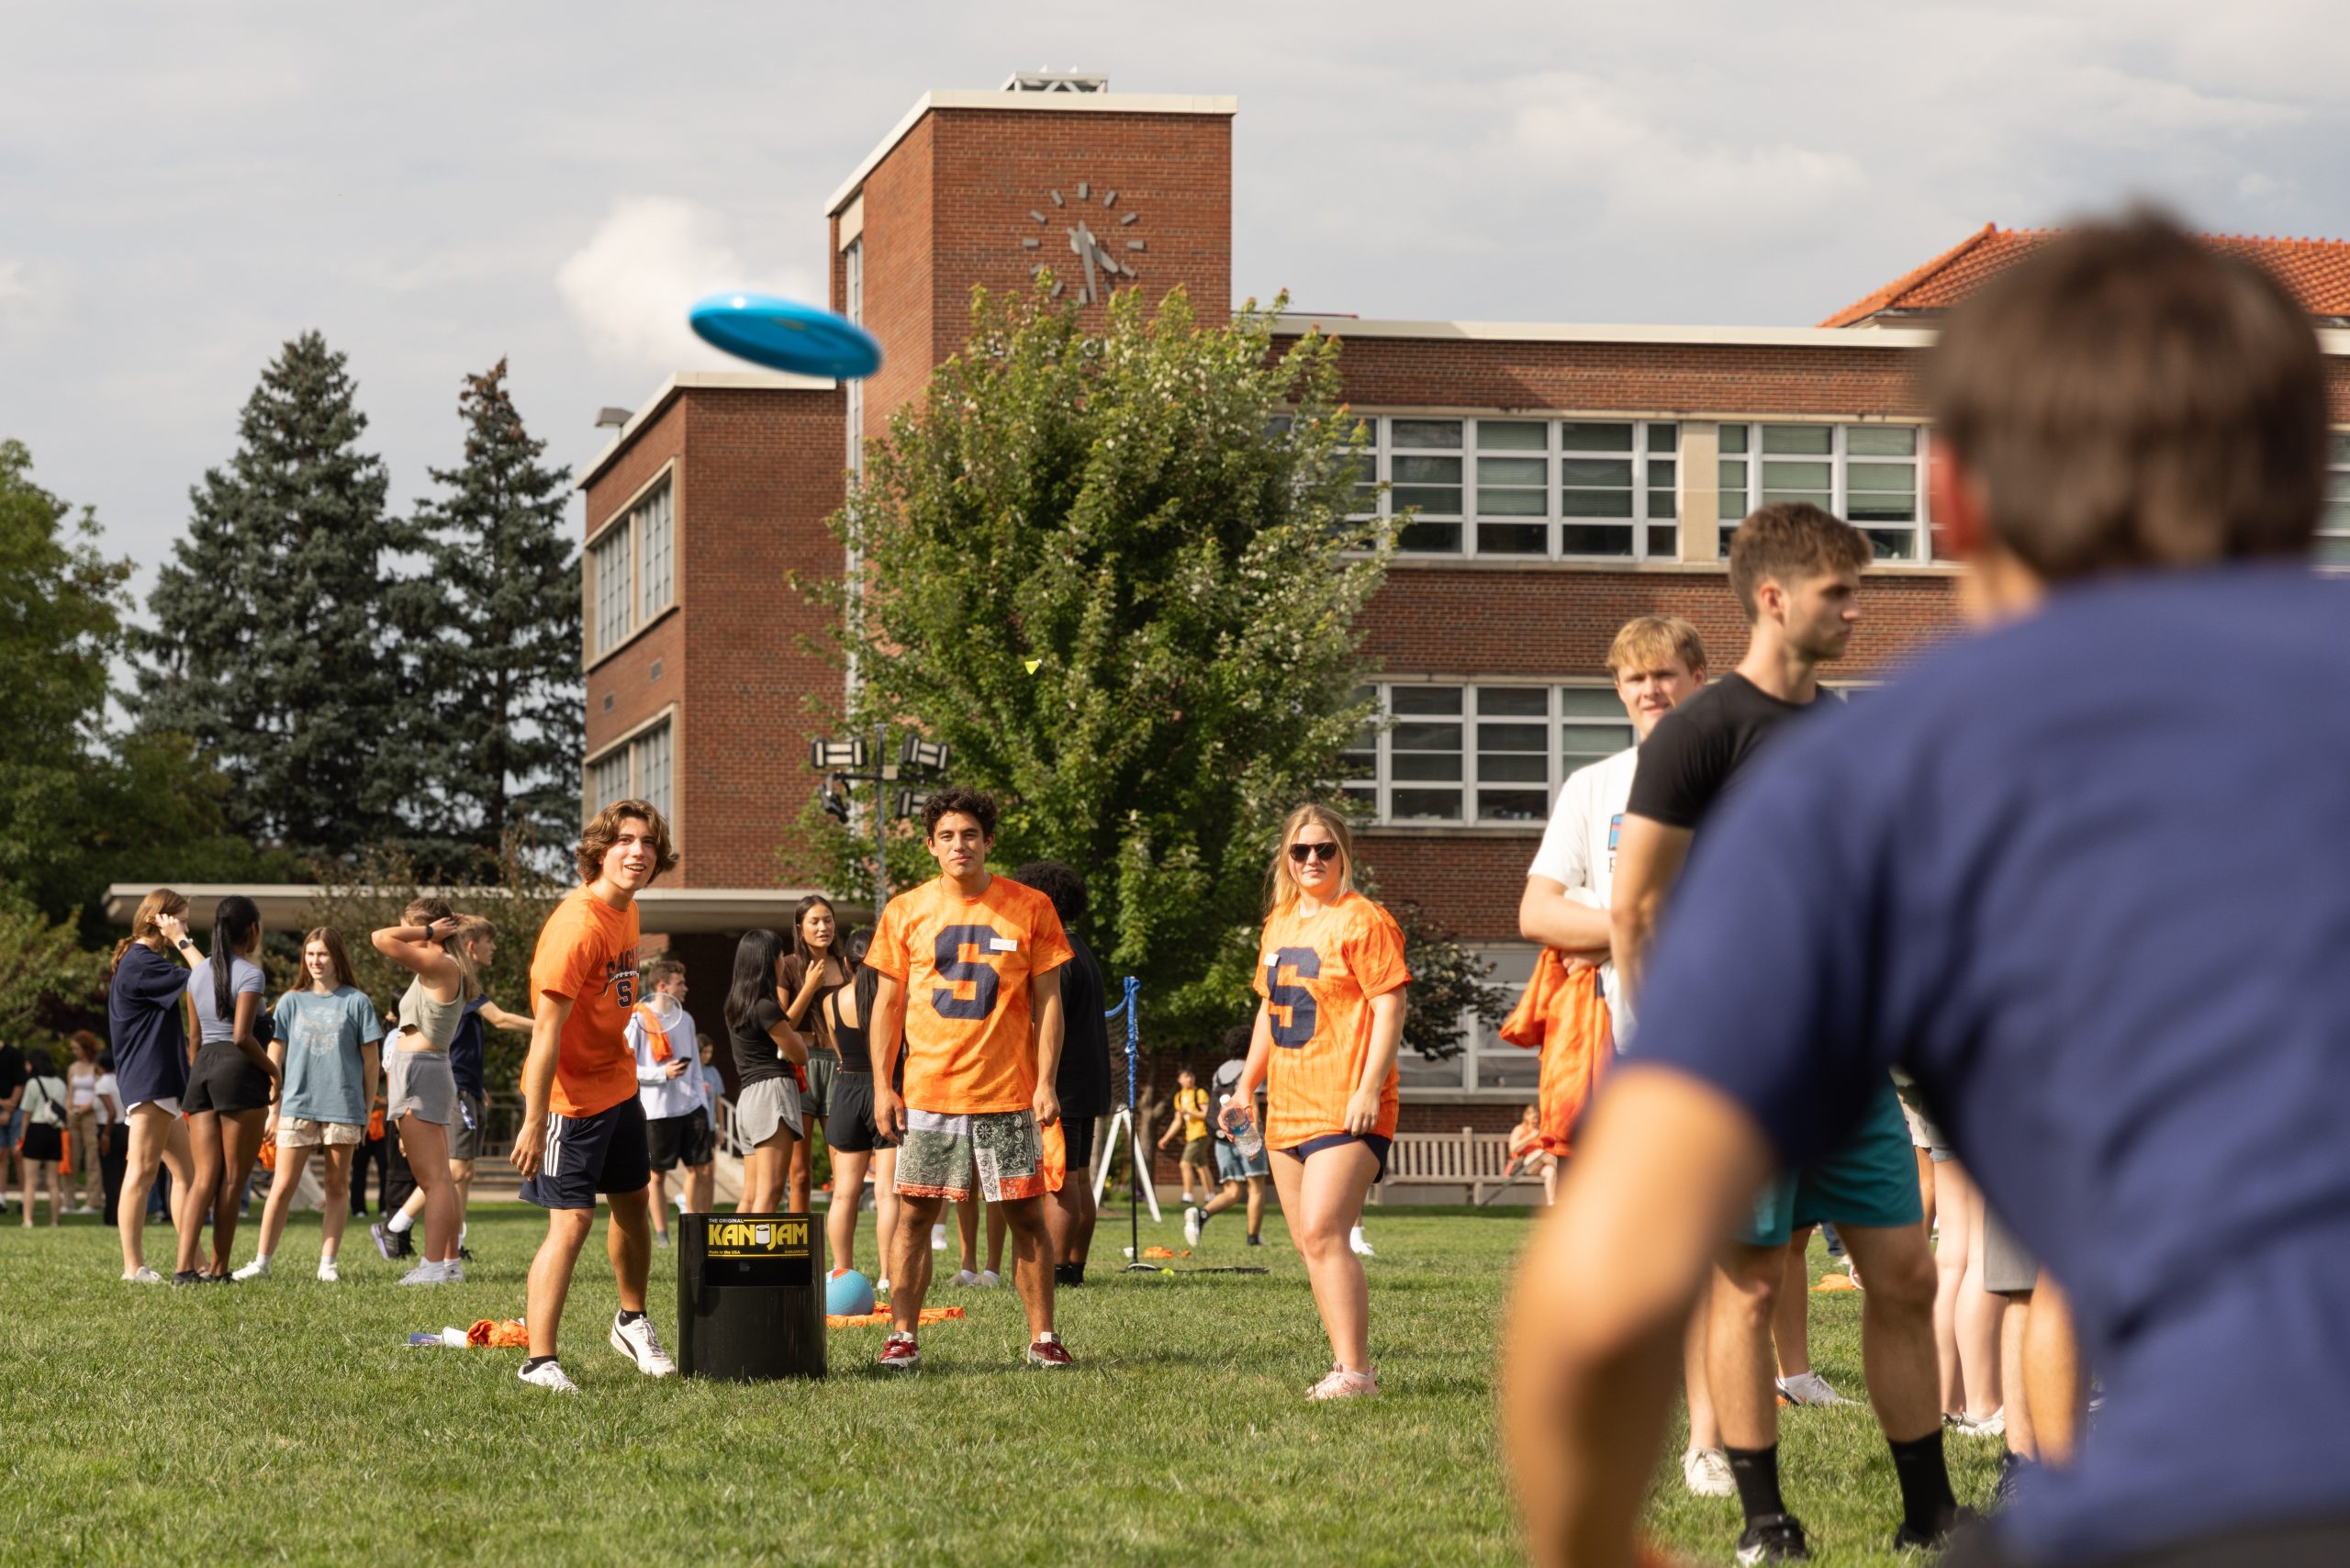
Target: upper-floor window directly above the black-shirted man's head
[(1865, 474)]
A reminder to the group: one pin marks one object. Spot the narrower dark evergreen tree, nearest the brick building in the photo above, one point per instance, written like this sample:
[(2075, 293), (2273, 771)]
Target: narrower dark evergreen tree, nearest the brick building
[(499, 648)]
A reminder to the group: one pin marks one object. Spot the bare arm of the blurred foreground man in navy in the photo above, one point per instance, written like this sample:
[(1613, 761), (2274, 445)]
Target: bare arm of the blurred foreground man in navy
[(1592, 1348)]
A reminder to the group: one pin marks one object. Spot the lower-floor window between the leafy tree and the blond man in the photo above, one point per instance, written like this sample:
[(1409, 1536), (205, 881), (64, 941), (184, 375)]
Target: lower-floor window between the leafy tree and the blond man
[(1489, 753)]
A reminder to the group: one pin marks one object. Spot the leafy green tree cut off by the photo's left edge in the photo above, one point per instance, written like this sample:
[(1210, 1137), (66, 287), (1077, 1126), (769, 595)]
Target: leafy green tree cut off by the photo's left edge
[(60, 624)]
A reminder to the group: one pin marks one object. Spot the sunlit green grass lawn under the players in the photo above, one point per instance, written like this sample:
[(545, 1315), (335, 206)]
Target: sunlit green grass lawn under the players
[(288, 1421)]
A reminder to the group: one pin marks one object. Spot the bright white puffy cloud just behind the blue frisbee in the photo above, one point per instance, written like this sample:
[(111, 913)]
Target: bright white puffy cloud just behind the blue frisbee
[(652, 257)]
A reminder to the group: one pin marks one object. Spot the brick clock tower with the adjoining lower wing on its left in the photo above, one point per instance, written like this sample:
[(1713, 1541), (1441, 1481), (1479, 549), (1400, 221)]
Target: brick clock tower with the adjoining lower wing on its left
[(699, 688)]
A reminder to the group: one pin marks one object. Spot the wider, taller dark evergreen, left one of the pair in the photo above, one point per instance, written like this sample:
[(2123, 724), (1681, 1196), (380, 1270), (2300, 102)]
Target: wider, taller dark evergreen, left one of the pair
[(274, 643)]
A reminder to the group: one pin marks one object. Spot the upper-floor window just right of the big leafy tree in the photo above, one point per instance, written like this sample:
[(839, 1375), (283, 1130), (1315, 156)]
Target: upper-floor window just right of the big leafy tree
[(1529, 488)]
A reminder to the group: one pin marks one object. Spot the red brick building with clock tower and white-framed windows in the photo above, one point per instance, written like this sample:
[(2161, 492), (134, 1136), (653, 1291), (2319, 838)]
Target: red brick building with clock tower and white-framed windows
[(1566, 481)]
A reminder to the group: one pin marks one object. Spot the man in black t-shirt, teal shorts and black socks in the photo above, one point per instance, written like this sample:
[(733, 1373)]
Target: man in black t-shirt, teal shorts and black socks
[(1797, 572)]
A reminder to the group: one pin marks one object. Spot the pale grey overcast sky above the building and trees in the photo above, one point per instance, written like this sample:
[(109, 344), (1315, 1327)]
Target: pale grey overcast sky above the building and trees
[(436, 187)]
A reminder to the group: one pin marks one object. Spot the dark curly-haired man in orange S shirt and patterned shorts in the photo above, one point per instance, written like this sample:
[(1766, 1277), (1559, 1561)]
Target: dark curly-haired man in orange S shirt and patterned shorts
[(972, 993)]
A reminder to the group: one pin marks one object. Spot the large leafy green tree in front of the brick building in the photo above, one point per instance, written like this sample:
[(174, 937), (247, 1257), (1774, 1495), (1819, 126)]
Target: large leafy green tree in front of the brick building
[(1122, 577)]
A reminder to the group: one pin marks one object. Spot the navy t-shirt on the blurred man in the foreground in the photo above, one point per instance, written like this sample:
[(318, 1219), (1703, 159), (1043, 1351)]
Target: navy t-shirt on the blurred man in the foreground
[(2088, 878)]
